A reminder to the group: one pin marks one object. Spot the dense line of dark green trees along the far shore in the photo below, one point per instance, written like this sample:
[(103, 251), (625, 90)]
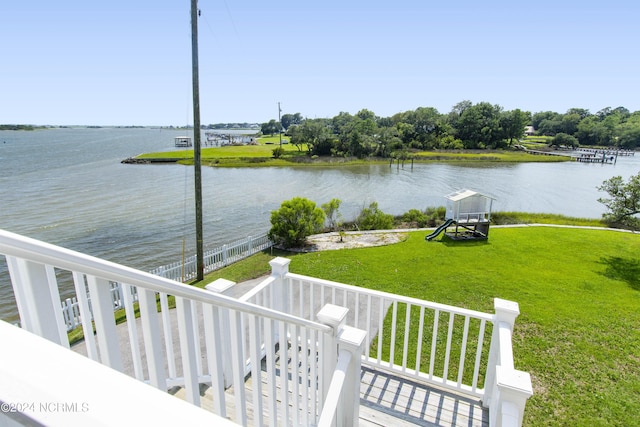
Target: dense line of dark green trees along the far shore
[(466, 126)]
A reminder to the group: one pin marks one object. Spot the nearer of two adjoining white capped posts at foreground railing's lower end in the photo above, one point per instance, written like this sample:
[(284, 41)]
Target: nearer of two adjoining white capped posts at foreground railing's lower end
[(351, 340)]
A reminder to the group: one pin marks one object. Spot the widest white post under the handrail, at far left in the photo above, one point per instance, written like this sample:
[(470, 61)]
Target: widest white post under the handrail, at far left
[(38, 299)]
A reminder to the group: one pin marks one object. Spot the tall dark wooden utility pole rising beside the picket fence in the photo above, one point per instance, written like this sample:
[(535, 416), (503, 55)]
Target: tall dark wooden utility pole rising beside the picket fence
[(196, 139)]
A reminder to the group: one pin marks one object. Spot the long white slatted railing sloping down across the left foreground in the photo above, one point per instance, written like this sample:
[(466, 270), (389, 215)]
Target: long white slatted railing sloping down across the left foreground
[(208, 339)]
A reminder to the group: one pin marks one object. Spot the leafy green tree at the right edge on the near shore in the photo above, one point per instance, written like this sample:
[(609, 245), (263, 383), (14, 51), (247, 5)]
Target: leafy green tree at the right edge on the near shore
[(623, 203)]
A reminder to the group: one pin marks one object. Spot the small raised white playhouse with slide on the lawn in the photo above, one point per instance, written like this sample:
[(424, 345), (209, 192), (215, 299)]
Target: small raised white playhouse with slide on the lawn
[(467, 218)]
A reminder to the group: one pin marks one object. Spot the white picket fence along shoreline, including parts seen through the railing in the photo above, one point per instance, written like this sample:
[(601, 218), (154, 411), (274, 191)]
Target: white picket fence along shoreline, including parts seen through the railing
[(213, 259)]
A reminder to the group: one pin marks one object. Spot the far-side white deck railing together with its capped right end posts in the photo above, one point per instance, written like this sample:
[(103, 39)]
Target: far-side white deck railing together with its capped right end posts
[(462, 350)]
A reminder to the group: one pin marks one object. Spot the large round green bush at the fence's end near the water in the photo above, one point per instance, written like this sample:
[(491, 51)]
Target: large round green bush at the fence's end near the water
[(294, 221)]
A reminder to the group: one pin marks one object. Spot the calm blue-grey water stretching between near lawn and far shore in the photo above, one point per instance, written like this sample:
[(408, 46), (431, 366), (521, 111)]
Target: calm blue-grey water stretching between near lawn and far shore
[(67, 187)]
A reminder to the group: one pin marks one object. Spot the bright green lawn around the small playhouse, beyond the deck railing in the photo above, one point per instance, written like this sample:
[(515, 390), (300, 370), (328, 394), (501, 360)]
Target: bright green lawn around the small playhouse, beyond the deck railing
[(578, 334)]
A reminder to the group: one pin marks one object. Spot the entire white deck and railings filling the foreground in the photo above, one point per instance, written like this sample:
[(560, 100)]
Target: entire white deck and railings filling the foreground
[(292, 350)]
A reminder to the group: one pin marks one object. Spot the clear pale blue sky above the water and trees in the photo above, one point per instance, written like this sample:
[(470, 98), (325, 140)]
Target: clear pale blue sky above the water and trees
[(128, 62)]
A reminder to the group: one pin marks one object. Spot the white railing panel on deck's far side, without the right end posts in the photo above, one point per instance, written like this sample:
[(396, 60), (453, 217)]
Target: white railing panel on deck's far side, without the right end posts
[(452, 342)]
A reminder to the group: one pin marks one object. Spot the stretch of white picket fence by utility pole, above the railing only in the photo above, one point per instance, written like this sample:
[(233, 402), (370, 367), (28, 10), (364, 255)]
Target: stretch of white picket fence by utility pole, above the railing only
[(214, 258)]
